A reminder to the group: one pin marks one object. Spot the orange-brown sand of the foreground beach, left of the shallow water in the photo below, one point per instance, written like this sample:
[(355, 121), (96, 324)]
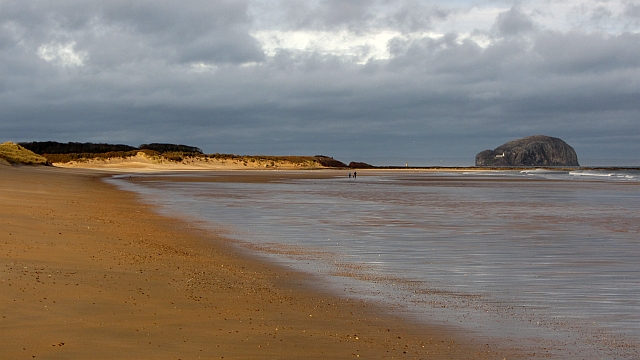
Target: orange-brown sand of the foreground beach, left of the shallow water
[(88, 272)]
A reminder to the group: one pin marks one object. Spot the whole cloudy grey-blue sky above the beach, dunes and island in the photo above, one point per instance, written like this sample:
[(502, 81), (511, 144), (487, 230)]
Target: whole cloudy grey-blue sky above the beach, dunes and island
[(381, 81)]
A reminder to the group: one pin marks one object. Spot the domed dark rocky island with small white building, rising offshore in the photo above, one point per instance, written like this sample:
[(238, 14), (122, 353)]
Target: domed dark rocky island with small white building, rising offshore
[(537, 150)]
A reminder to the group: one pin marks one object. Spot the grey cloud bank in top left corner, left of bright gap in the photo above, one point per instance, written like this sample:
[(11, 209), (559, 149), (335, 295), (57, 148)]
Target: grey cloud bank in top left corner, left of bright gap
[(181, 32)]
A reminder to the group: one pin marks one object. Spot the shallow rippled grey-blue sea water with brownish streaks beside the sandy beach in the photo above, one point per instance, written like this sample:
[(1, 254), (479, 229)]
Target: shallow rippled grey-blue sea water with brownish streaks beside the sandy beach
[(549, 261)]
